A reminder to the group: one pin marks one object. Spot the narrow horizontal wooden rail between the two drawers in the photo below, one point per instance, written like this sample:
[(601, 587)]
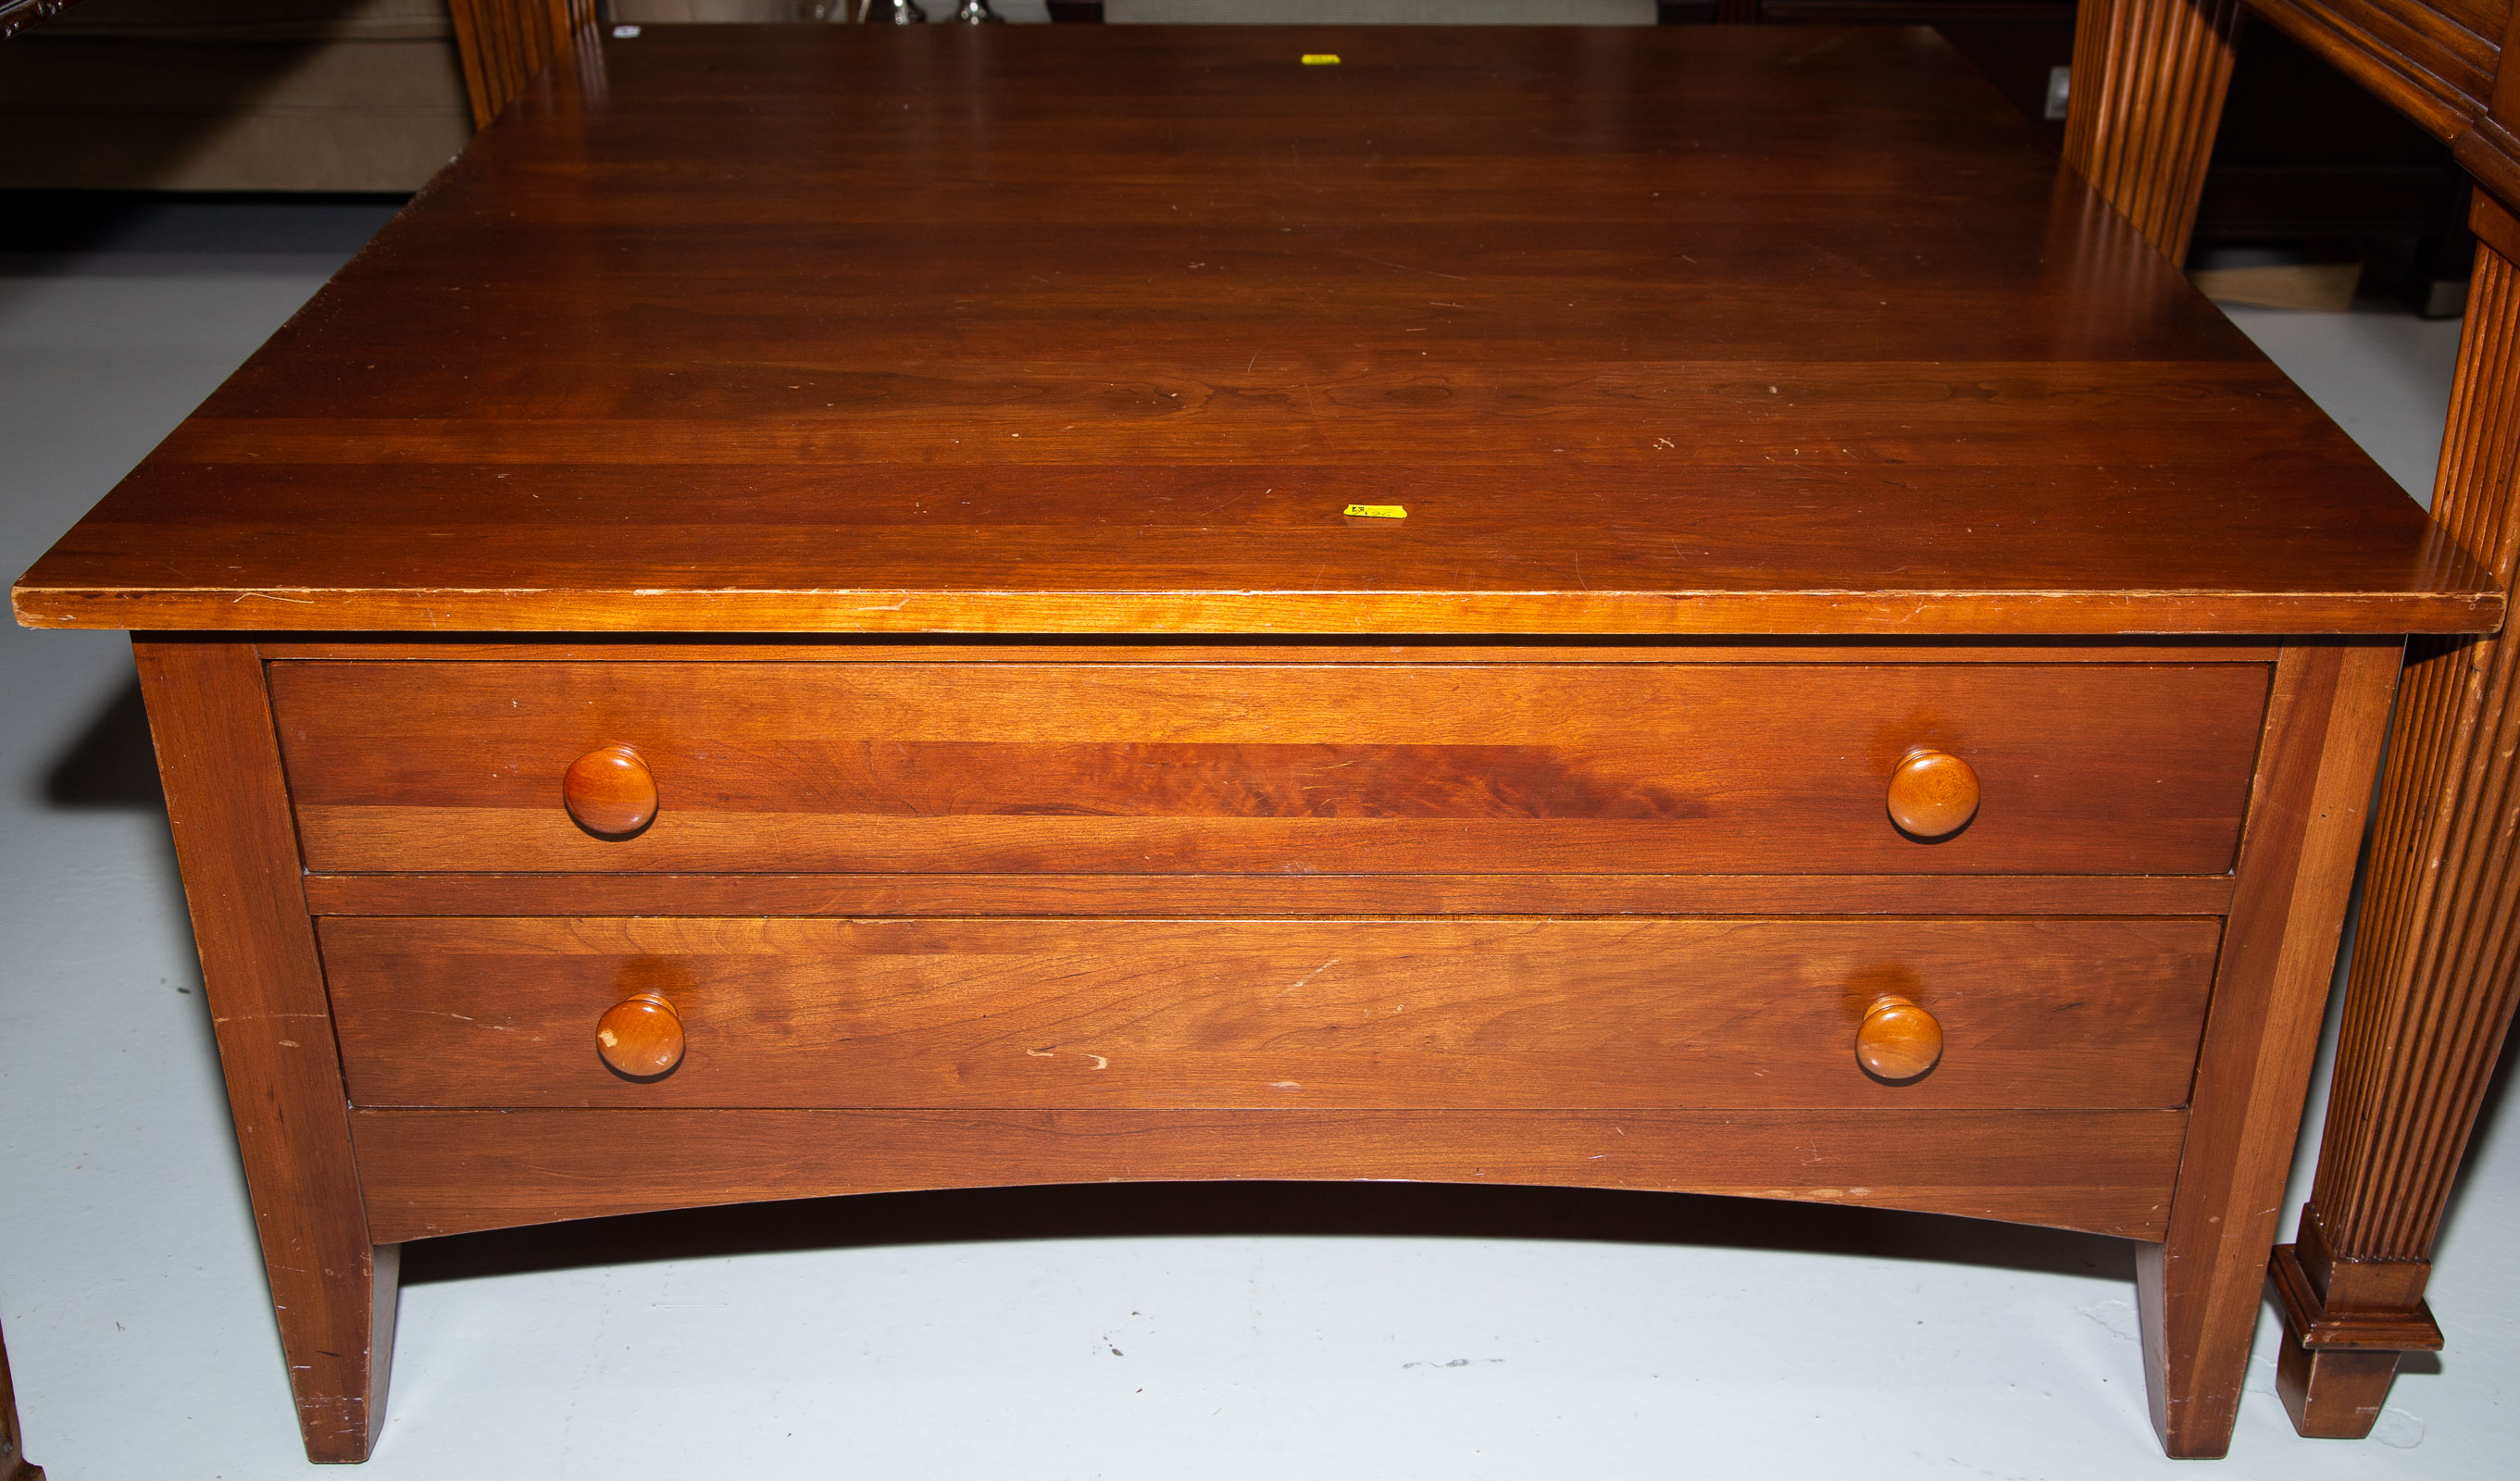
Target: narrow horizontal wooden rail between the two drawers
[(1178, 895)]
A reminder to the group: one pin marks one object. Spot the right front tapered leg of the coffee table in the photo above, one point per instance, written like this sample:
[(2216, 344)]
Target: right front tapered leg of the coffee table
[(2199, 1291)]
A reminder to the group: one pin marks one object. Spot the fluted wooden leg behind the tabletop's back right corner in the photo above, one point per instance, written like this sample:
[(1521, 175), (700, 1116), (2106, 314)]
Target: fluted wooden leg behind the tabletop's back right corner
[(2146, 105)]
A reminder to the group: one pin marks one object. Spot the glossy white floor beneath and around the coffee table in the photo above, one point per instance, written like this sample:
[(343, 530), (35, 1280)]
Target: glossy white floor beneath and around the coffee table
[(1150, 1334)]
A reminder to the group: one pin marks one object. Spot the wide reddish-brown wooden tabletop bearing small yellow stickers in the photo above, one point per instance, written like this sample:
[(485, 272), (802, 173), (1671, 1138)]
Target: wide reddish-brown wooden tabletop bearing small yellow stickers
[(1102, 329)]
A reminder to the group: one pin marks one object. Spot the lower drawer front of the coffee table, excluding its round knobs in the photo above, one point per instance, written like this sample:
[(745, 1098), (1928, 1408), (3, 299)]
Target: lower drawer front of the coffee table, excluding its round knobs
[(1362, 1014)]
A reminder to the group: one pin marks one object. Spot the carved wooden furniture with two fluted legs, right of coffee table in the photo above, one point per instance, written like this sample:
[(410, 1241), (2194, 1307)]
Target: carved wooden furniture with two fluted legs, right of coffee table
[(2438, 963)]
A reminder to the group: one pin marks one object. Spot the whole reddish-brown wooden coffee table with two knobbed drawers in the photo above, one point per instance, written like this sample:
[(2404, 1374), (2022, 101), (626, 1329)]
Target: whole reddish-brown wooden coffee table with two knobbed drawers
[(795, 626)]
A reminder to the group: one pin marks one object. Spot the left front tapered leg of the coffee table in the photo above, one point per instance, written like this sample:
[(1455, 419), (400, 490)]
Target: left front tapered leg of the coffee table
[(231, 817)]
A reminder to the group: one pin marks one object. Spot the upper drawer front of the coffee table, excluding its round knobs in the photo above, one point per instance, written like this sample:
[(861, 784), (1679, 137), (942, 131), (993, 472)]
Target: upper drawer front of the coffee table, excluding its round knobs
[(1246, 767)]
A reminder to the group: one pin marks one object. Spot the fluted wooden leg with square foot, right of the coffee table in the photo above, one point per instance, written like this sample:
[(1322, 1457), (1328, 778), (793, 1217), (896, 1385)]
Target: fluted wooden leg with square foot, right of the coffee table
[(2438, 961)]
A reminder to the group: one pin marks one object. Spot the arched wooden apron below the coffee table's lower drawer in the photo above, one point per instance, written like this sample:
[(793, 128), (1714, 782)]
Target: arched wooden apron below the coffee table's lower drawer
[(445, 1172)]
